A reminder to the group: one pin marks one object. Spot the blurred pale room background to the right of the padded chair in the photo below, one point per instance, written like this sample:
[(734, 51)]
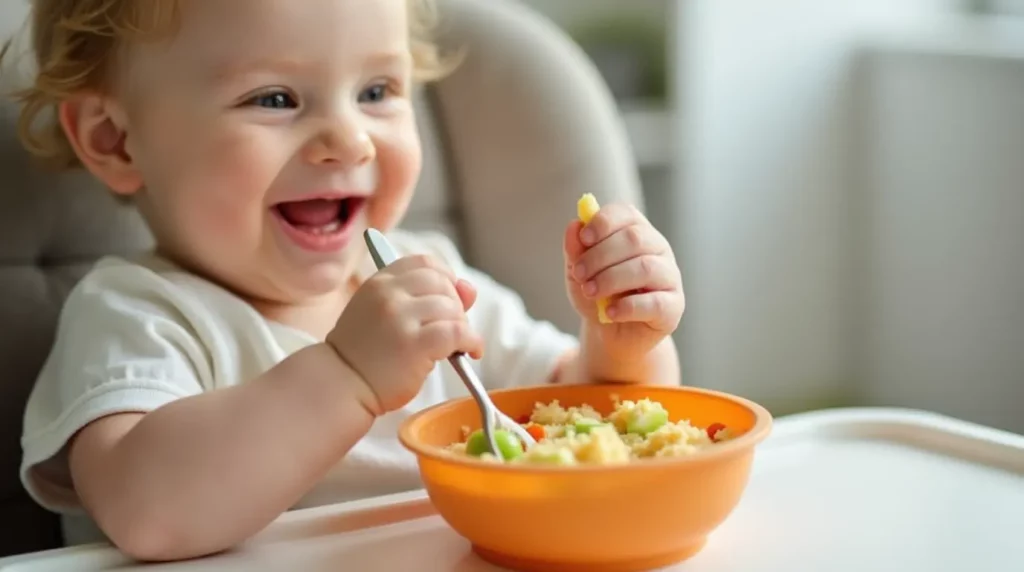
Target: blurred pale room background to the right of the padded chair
[(844, 187)]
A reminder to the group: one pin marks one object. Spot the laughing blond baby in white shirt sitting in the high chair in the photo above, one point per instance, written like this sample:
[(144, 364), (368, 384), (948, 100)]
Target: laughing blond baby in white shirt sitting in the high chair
[(255, 362)]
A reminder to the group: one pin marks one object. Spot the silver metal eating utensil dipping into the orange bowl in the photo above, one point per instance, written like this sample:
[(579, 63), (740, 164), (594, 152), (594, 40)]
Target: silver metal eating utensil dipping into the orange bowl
[(493, 418)]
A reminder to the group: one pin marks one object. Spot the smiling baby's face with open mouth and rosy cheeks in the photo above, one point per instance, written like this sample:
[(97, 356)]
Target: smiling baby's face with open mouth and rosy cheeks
[(270, 135)]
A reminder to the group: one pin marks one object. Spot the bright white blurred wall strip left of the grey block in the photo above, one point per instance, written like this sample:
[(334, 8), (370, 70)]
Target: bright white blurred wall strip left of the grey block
[(765, 178)]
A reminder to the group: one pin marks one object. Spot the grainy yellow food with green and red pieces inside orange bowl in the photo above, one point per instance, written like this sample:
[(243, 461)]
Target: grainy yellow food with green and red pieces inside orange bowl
[(580, 435)]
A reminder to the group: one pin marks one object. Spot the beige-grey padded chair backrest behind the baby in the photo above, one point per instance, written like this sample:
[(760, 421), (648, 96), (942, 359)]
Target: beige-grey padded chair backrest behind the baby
[(510, 141)]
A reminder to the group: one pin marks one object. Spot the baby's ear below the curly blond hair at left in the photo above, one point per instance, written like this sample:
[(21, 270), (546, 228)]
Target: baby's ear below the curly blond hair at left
[(96, 127)]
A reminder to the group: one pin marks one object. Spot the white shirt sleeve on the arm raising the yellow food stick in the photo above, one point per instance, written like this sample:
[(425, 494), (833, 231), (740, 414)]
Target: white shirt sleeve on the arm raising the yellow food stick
[(520, 350)]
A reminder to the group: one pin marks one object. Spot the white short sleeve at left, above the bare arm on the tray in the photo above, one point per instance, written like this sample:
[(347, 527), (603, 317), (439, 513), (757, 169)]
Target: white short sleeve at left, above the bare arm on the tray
[(121, 346)]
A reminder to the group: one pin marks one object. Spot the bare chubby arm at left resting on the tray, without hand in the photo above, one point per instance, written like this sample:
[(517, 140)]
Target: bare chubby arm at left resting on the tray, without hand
[(203, 473)]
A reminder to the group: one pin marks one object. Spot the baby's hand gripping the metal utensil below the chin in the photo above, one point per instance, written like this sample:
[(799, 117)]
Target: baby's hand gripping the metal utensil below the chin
[(401, 323)]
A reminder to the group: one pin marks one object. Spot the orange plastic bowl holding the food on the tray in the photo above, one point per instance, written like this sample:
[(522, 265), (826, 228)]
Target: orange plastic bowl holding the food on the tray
[(647, 514)]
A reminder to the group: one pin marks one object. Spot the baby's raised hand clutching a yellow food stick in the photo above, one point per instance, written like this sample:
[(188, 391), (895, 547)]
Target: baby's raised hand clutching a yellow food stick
[(621, 256)]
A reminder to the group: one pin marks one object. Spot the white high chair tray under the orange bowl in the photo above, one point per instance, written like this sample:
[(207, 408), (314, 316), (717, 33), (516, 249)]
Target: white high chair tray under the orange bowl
[(838, 491)]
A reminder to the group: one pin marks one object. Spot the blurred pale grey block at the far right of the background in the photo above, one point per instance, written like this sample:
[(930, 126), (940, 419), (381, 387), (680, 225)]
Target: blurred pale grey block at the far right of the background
[(943, 233)]
